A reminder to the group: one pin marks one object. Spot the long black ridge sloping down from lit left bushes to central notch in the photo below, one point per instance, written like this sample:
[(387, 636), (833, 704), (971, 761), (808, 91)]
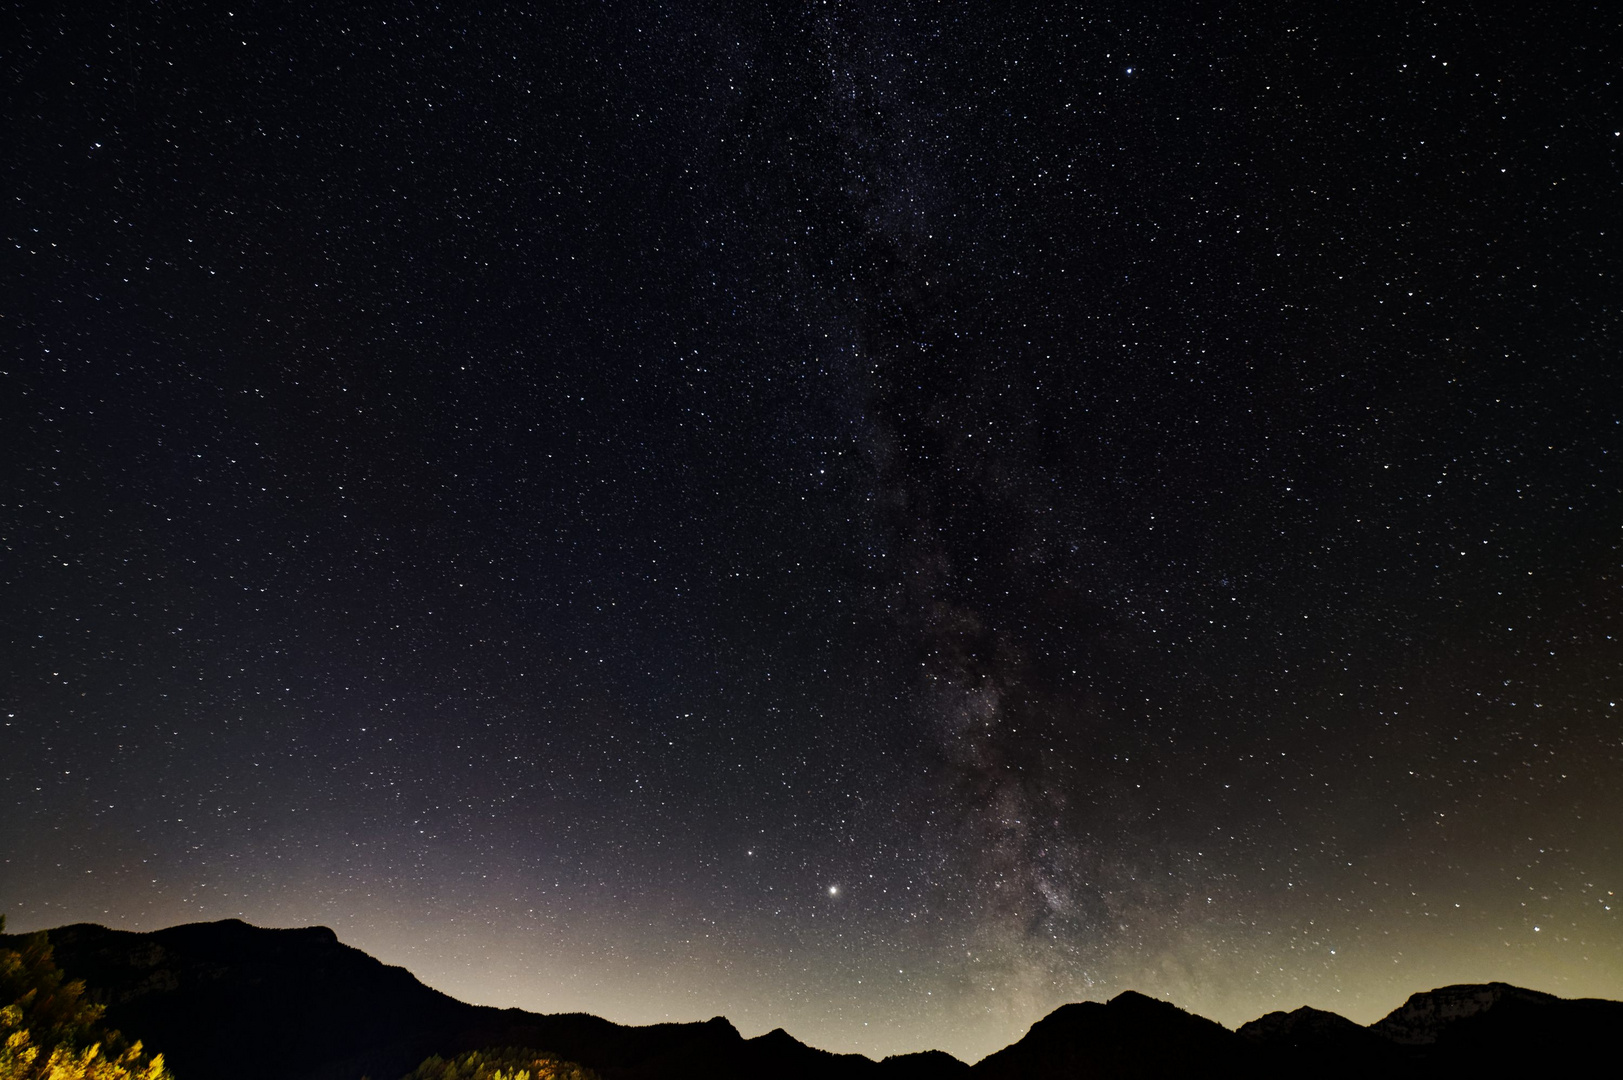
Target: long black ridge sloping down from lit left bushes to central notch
[(230, 1001)]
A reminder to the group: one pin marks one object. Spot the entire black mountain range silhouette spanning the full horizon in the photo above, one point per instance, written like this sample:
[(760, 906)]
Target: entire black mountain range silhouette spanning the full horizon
[(230, 1001)]
